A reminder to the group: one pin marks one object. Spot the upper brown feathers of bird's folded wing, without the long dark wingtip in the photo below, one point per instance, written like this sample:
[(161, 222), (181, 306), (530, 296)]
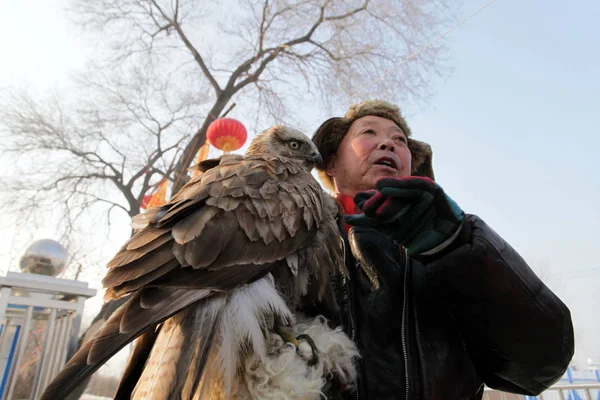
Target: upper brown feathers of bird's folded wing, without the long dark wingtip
[(243, 212)]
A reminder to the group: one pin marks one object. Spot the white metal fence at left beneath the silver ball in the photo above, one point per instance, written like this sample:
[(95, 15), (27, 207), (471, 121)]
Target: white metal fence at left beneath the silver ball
[(39, 318)]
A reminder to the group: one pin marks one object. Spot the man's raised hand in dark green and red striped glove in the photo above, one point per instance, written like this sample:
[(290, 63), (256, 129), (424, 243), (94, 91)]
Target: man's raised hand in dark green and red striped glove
[(413, 212)]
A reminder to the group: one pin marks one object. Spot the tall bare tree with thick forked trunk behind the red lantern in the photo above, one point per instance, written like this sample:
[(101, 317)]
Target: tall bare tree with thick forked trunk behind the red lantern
[(263, 49)]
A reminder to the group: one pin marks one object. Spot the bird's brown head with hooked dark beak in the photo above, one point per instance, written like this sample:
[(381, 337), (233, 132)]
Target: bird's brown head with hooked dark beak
[(281, 140)]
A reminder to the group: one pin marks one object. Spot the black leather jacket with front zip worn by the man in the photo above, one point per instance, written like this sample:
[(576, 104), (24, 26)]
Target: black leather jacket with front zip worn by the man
[(439, 327)]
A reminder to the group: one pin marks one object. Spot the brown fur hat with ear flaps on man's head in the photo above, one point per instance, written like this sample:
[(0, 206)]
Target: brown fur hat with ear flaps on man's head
[(329, 135)]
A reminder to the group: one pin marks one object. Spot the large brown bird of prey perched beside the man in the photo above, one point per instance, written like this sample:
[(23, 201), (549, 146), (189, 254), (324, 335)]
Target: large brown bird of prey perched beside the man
[(212, 273)]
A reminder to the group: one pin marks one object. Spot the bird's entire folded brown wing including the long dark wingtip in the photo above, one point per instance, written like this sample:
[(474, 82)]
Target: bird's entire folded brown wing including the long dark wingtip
[(220, 231)]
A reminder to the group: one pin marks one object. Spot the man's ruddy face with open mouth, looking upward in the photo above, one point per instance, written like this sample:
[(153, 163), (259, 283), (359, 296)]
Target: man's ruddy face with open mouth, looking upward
[(373, 148)]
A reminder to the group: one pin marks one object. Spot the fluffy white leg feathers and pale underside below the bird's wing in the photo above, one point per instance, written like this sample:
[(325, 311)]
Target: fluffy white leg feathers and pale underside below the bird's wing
[(273, 369)]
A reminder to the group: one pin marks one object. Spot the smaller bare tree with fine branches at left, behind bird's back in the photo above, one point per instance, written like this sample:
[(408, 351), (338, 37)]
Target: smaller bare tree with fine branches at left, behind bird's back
[(104, 147)]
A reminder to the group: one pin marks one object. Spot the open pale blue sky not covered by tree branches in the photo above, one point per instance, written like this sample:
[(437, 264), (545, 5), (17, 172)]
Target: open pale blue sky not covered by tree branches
[(514, 128)]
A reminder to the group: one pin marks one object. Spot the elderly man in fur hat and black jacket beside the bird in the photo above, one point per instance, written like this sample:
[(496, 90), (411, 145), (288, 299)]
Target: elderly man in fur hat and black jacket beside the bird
[(438, 303)]
